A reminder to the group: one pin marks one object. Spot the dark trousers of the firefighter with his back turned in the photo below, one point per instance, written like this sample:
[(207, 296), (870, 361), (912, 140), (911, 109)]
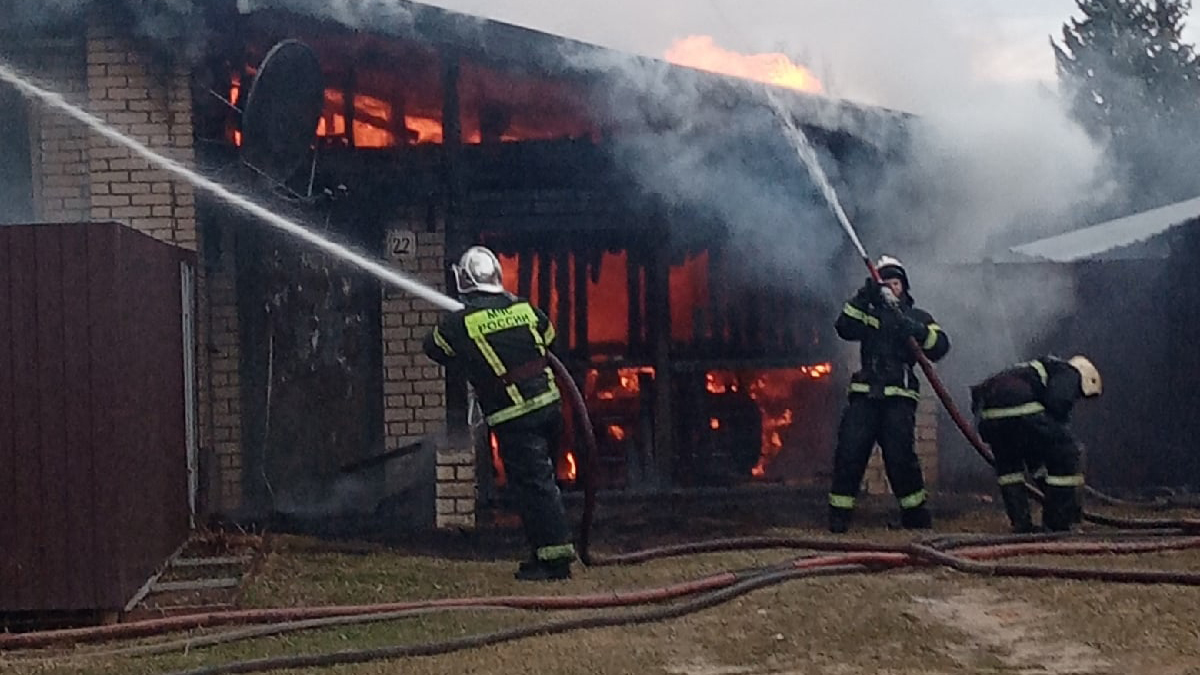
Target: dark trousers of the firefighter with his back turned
[(527, 447)]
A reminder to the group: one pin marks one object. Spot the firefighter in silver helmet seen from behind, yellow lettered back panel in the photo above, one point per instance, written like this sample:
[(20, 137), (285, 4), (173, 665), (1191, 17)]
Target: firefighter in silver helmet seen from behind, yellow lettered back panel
[(502, 341)]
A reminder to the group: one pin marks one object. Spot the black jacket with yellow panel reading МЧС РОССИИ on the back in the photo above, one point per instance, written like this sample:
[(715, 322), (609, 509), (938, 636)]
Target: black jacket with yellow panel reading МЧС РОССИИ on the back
[(502, 341)]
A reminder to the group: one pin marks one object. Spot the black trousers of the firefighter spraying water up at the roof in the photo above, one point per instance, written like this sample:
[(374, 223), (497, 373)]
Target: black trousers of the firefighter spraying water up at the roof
[(889, 422)]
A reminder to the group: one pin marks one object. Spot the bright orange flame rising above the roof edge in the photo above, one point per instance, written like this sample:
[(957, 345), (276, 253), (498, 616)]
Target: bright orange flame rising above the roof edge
[(703, 52)]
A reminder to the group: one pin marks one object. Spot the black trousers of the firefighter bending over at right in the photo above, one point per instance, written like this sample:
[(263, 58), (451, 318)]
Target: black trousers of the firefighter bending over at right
[(1031, 444)]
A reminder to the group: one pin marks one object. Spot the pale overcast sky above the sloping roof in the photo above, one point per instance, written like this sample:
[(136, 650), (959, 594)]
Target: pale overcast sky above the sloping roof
[(848, 43)]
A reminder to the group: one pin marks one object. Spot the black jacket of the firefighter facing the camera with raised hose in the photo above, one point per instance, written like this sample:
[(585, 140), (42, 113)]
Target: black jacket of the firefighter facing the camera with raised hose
[(884, 334)]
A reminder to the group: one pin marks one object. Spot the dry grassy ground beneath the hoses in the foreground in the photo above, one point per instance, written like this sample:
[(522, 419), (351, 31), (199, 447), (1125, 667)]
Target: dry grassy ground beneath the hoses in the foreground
[(917, 622)]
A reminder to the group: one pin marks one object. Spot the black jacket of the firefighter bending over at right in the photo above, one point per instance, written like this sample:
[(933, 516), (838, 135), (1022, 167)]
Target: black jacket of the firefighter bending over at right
[(1045, 385)]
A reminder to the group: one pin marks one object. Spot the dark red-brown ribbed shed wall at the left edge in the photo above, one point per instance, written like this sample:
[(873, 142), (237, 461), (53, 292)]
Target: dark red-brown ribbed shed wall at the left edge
[(93, 438)]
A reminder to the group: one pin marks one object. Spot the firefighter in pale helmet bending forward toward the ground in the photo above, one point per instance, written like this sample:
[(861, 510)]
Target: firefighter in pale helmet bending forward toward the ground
[(1023, 413)]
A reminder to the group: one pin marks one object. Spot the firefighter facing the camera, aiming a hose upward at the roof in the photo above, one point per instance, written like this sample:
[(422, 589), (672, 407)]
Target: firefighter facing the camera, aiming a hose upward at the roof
[(884, 396)]
